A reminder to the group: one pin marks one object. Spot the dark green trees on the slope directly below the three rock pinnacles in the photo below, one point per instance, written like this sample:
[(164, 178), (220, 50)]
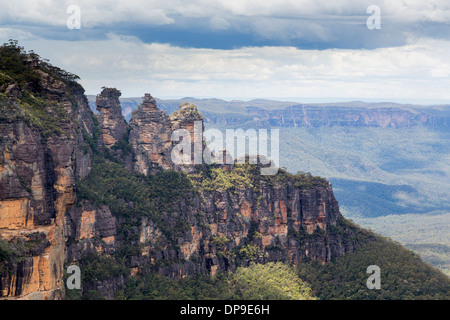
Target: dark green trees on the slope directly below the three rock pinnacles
[(132, 196)]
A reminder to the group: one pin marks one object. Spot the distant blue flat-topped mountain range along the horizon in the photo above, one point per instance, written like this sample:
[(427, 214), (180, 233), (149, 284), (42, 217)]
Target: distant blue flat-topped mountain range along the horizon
[(263, 112)]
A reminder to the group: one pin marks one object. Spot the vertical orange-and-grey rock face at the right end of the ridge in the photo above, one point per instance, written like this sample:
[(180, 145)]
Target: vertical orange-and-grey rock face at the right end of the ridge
[(280, 223)]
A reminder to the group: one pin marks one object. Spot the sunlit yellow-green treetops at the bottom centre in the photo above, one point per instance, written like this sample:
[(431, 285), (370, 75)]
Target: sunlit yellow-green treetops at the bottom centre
[(271, 281)]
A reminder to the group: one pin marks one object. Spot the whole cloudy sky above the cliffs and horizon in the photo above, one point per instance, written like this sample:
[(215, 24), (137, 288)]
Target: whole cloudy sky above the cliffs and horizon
[(302, 50)]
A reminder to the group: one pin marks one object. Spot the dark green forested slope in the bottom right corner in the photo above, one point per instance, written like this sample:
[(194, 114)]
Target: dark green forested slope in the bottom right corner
[(404, 276)]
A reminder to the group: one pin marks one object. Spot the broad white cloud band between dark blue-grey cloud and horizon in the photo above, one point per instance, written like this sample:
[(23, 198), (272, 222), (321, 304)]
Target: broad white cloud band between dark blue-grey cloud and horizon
[(418, 70)]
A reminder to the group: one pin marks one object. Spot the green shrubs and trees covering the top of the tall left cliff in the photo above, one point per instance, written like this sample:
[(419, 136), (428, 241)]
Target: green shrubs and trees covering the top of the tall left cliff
[(22, 77)]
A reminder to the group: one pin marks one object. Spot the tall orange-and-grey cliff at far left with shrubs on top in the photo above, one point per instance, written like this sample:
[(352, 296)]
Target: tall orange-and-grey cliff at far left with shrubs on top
[(38, 172)]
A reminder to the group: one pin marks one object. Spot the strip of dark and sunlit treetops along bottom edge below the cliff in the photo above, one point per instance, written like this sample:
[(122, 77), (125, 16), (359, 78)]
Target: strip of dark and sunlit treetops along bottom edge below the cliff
[(269, 281)]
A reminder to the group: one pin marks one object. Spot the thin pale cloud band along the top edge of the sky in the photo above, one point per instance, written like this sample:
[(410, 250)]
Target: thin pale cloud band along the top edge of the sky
[(159, 12)]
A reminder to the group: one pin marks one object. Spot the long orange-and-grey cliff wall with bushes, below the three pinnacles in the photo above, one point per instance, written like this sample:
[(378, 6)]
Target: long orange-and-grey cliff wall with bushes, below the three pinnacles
[(207, 229)]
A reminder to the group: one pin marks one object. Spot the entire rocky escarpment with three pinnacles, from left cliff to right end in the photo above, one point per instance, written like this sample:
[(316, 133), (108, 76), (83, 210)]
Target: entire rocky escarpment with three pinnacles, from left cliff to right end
[(92, 190)]
